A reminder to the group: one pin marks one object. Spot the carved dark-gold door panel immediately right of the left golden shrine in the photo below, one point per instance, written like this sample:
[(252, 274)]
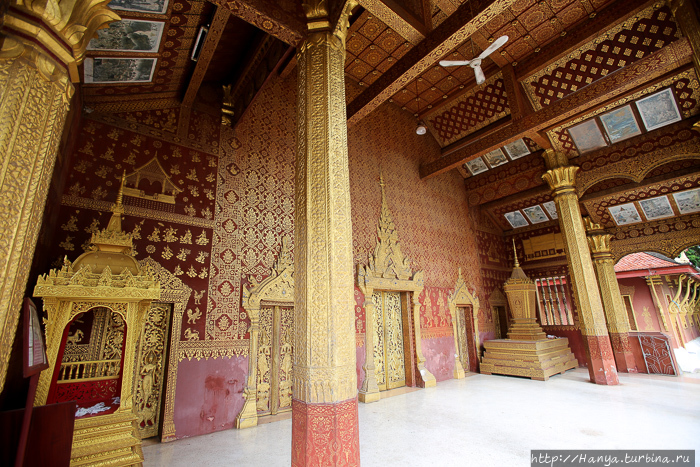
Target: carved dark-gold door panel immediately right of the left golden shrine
[(149, 371)]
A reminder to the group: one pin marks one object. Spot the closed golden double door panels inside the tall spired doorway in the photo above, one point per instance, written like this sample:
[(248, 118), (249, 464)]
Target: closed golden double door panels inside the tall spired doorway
[(388, 344)]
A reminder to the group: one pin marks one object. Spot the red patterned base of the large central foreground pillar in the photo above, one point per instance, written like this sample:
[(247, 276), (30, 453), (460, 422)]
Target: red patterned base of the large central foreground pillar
[(325, 434)]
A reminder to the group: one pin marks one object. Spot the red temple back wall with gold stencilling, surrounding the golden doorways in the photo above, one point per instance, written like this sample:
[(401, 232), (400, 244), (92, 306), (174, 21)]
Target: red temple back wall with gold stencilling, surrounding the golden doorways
[(238, 194)]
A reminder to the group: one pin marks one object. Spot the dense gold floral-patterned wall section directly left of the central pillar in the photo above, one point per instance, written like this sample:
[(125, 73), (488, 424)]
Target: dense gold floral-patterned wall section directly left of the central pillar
[(255, 204)]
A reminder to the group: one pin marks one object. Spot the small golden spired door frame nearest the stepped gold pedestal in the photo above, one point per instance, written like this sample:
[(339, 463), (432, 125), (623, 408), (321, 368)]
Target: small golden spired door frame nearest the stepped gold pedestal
[(462, 298)]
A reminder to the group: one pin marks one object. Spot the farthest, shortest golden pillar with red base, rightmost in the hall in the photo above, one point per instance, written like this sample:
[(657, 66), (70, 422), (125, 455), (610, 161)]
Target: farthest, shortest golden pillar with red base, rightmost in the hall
[(615, 312)]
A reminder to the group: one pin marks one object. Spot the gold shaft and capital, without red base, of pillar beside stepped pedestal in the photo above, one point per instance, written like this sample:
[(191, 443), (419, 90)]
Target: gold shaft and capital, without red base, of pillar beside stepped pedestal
[(562, 182)]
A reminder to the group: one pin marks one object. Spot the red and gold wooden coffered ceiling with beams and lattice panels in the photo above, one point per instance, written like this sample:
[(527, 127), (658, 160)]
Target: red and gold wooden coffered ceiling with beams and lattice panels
[(566, 61)]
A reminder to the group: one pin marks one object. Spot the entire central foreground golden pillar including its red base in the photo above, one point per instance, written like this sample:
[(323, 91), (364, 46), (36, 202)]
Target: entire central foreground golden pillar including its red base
[(324, 406)]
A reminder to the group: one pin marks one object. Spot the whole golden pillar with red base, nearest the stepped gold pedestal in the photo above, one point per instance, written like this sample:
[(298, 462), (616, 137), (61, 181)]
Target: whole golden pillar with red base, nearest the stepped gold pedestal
[(561, 178)]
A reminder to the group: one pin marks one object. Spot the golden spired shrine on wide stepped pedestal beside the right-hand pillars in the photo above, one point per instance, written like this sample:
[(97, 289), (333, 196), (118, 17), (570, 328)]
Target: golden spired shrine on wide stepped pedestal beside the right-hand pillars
[(527, 351)]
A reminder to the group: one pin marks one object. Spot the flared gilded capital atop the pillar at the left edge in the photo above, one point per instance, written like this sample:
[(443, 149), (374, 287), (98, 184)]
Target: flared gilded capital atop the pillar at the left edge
[(61, 27)]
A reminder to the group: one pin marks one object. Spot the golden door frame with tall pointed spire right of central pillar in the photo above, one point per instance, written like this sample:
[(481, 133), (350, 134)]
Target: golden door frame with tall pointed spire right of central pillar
[(389, 270)]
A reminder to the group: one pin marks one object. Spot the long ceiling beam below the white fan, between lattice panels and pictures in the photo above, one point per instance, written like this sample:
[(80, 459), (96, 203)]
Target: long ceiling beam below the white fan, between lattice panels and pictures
[(595, 95)]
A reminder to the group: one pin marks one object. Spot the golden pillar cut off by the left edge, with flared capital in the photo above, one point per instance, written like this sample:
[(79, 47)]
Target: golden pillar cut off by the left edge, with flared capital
[(41, 45)]
